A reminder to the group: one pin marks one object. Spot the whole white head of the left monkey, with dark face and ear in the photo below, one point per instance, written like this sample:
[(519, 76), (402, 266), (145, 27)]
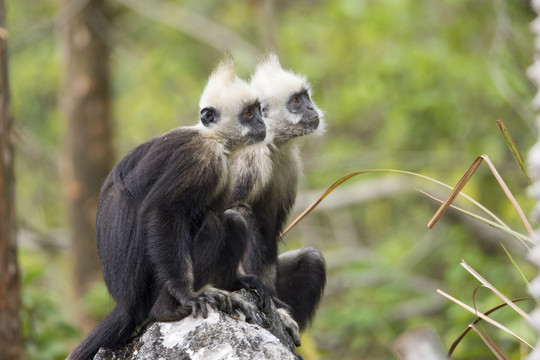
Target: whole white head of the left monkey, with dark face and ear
[(230, 108)]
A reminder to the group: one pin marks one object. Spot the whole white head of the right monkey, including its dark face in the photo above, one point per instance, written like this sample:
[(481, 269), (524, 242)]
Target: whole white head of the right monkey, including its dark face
[(288, 110)]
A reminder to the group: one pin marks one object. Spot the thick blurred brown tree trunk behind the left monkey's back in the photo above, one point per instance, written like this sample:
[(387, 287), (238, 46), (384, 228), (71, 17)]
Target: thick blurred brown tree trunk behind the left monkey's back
[(88, 148)]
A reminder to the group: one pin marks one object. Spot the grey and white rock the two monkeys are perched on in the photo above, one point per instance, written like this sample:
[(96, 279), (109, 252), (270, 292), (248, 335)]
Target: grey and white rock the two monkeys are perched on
[(220, 336)]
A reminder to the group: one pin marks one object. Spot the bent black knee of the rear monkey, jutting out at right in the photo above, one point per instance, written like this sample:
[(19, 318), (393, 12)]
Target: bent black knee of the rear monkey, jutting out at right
[(301, 280)]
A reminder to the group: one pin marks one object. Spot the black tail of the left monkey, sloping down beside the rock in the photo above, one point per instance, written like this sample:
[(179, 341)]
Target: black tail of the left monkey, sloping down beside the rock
[(113, 331)]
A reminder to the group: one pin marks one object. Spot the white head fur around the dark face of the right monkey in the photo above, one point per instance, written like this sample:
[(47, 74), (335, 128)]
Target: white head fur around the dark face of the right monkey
[(275, 86)]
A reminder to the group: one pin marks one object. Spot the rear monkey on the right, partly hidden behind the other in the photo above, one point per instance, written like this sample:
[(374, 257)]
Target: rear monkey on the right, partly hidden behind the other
[(266, 177)]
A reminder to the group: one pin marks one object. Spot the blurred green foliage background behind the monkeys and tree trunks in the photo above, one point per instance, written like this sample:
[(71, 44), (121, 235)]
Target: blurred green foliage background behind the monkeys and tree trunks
[(404, 84)]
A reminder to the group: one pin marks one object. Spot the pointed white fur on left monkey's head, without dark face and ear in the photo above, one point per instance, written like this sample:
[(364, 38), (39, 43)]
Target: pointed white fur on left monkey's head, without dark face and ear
[(226, 92)]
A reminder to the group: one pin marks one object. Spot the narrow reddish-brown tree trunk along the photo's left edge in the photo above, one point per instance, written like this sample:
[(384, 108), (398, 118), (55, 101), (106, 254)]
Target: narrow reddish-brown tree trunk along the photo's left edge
[(11, 339)]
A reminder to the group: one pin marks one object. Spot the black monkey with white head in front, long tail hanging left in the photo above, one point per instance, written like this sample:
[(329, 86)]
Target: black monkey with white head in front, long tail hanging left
[(165, 231)]
